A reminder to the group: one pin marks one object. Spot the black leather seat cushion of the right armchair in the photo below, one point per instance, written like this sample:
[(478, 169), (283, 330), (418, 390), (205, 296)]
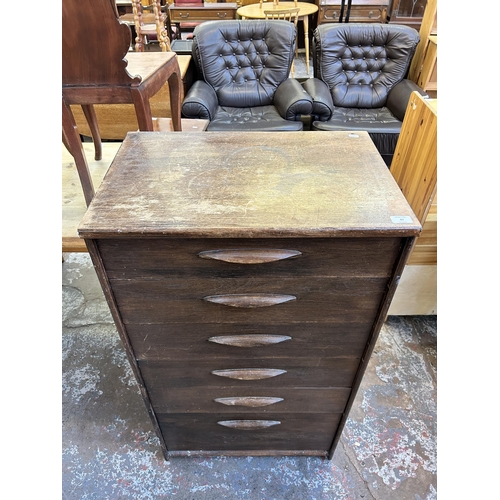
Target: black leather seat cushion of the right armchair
[(375, 121)]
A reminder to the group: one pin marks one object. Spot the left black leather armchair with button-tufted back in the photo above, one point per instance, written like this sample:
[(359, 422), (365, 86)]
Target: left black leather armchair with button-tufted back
[(244, 83)]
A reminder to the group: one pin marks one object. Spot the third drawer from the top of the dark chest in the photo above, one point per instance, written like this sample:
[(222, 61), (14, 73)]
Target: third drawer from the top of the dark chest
[(194, 341)]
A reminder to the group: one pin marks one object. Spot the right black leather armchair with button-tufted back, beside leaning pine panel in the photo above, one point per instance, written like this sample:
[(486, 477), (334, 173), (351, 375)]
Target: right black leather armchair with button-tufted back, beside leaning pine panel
[(359, 80)]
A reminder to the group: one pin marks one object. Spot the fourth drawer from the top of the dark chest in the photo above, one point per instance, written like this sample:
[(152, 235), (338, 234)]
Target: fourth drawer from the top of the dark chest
[(244, 373)]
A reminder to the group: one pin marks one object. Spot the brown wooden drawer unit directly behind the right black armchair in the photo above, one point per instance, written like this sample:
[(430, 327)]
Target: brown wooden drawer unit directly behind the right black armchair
[(362, 11)]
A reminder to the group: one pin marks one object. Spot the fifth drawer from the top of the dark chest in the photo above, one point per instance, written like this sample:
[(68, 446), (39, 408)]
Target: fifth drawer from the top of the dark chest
[(249, 401)]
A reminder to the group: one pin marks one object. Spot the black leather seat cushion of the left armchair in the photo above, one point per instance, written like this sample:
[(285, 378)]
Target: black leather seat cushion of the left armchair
[(262, 118)]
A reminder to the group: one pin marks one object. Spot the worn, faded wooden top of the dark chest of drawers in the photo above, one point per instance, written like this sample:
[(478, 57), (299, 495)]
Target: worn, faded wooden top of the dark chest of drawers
[(250, 184)]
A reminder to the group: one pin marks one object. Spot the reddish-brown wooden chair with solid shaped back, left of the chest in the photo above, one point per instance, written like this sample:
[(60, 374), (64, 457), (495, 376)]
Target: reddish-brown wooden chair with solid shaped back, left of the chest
[(97, 68)]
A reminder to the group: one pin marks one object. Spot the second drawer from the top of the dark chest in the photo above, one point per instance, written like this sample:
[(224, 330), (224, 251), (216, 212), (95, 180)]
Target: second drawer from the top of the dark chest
[(223, 301)]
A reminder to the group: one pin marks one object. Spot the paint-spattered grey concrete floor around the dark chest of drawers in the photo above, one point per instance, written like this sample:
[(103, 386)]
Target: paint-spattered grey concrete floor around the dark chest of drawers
[(387, 450)]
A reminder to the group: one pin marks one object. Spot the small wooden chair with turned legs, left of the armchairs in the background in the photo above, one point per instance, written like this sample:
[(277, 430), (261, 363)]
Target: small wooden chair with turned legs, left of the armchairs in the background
[(147, 32)]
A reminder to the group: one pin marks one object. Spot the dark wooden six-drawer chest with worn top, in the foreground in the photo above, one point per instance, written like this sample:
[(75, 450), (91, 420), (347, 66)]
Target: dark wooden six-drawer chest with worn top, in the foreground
[(248, 275)]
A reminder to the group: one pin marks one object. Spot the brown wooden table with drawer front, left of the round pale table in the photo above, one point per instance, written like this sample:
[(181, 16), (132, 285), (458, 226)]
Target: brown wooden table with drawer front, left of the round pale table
[(197, 12)]
